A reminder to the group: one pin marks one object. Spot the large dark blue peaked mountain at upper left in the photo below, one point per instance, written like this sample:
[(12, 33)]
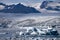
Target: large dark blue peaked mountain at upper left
[(19, 8)]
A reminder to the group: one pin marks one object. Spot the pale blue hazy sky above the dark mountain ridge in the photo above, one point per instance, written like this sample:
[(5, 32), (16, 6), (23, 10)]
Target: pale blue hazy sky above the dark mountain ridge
[(22, 1)]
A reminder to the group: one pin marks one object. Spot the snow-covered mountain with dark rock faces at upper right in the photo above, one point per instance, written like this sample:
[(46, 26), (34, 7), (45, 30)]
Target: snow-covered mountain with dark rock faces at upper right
[(48, 7)]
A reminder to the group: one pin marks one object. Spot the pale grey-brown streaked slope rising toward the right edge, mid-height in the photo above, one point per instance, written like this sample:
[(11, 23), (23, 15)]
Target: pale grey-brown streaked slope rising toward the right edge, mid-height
[(54, 21)]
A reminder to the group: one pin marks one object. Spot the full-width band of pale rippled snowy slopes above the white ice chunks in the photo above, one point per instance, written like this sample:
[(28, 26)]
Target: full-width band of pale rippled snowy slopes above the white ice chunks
[(37, 22)]
